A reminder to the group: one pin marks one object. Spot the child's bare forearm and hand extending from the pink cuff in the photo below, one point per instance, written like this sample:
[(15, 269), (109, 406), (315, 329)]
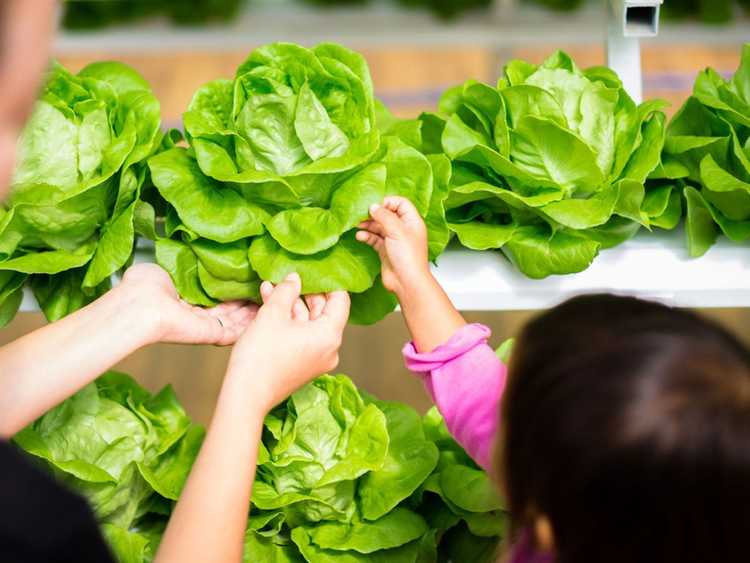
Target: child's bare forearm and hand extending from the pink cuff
[(399, 235)]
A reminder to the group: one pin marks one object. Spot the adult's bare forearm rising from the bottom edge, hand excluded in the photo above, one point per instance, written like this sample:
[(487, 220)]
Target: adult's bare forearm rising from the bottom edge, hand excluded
[(208, 523)]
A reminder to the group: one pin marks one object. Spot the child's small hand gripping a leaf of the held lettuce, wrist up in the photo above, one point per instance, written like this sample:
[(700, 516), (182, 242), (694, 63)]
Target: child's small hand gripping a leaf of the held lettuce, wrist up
[(398, 233)]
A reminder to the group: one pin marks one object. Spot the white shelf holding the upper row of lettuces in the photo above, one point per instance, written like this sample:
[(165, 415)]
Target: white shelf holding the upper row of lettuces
[(651, 266)]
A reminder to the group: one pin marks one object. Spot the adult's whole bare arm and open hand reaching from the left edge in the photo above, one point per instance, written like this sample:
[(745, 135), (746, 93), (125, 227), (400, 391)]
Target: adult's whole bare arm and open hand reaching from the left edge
[(43, 368)]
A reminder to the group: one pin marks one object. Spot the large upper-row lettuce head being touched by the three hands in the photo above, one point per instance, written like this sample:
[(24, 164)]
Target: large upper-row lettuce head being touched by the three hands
[(284, 162)]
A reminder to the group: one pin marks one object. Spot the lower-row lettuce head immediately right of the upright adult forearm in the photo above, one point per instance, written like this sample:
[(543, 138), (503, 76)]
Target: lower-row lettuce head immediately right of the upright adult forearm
[(335, 478)]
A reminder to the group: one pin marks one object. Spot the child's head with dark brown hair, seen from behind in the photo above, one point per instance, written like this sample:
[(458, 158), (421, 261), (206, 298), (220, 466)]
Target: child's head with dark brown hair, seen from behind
[(626, 427)]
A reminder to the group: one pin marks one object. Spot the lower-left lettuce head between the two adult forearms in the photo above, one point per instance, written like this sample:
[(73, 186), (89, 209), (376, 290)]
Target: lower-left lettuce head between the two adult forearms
[(126, 451)]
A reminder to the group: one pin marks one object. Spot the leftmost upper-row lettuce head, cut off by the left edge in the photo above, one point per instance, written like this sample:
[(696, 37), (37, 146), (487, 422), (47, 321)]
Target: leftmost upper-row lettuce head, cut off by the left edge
[(74, 208)]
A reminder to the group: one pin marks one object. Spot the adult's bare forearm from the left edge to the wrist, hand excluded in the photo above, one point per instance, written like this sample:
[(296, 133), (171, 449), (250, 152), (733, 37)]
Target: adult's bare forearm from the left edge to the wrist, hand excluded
[(43, 368)]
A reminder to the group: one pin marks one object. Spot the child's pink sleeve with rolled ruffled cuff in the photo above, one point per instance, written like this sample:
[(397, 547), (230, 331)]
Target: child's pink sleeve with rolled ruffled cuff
[(466, 380)]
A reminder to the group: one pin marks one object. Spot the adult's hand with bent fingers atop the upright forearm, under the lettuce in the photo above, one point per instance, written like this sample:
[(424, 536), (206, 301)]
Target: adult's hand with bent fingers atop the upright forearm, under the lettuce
[(289, 342)]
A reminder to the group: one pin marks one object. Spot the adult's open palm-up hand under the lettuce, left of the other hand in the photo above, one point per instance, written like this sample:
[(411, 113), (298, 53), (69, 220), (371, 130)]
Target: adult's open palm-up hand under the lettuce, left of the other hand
[(149, 289)]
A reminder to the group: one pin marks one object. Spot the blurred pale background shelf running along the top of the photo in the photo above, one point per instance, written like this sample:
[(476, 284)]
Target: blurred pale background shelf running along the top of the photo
[(381, 23)]
